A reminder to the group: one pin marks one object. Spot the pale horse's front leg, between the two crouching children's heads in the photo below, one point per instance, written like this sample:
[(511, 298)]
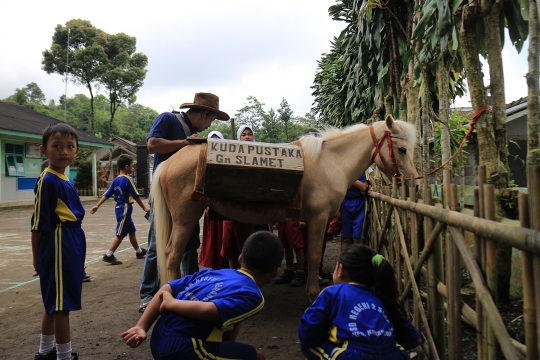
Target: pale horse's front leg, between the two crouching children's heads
[(315, 230)]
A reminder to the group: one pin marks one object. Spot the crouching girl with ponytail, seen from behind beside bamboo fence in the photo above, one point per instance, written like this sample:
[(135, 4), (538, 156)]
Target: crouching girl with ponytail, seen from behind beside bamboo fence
[(360, 317)]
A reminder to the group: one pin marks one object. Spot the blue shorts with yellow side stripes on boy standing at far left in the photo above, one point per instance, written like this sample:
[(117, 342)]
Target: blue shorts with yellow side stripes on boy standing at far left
[(61, 256)]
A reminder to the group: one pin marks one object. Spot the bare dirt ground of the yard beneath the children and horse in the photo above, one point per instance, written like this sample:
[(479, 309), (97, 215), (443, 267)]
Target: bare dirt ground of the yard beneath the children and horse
[(111, 299)]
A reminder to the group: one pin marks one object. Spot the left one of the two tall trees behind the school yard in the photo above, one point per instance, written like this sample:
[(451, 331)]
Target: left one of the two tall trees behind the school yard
[(87, 57)]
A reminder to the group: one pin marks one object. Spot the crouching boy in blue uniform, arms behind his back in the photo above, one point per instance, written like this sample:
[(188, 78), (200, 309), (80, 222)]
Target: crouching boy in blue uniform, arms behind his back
[(201, 313)]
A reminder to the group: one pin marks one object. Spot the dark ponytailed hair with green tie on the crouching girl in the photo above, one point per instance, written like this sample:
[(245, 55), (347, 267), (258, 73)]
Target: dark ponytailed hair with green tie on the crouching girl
[(366, 267)]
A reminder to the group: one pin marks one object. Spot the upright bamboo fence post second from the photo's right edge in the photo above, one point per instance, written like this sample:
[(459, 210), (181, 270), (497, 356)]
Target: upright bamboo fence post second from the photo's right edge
[(491, 266)]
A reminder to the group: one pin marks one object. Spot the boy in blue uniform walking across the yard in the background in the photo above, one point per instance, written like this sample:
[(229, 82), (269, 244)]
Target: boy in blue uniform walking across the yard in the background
[(125, 193)]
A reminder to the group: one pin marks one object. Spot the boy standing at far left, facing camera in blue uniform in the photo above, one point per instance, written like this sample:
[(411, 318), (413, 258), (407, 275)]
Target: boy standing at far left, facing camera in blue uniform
[(58, 242)]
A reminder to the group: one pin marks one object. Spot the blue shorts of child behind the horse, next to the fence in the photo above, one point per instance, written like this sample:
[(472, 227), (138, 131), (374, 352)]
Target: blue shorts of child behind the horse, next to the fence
[(353, 213)]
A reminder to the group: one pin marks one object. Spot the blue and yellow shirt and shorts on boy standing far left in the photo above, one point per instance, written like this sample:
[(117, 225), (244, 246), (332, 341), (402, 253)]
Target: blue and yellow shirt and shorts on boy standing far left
[(58, 213)]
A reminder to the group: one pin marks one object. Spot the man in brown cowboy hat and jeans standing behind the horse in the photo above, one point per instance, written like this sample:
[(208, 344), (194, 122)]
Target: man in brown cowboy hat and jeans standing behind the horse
[(168, 135)]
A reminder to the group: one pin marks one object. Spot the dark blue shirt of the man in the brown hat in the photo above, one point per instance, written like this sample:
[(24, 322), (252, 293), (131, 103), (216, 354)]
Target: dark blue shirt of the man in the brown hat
[(167, 126)]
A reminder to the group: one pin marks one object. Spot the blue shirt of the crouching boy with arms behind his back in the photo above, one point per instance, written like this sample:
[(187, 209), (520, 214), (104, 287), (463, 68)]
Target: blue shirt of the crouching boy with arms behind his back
[(234, 293)]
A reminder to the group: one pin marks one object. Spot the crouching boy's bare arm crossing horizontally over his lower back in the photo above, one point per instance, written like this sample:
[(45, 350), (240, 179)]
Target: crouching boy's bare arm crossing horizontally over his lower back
[(199, 310)]
